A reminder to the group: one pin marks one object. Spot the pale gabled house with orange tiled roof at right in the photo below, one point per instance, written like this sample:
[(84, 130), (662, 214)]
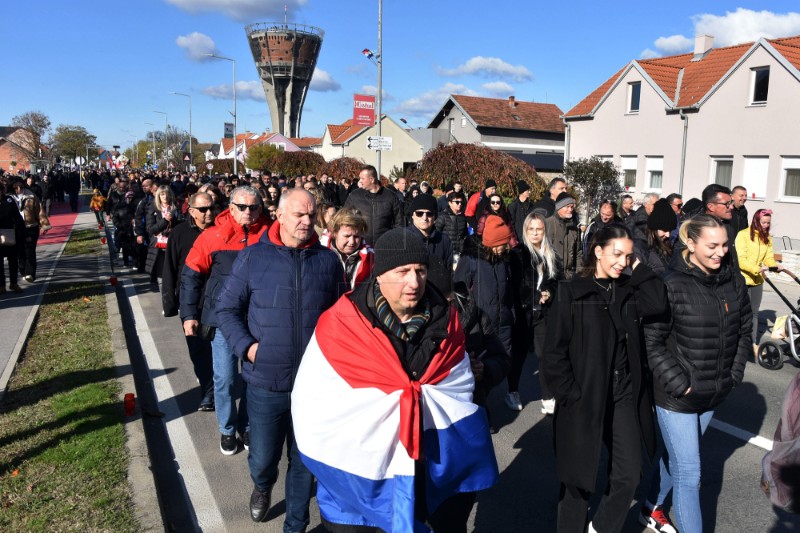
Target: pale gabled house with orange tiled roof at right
[(717, 115)]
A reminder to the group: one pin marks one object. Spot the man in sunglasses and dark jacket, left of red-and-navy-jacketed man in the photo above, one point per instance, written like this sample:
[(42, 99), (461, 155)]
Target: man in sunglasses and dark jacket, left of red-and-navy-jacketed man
[(181, 240)]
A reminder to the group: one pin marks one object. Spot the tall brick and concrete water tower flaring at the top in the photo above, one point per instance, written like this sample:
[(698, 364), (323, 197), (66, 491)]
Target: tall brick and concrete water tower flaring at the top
[(285, 56)]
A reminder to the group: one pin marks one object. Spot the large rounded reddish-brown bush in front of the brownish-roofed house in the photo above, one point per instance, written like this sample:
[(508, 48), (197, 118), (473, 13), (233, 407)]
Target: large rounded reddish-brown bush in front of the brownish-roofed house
[(472, 165)]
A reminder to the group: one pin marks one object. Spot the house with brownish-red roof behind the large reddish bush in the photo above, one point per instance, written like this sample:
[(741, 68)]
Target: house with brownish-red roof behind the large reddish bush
[(531, 131)]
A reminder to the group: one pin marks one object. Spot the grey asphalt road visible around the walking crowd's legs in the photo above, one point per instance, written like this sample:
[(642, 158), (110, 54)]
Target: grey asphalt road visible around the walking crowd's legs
[(525, 499)]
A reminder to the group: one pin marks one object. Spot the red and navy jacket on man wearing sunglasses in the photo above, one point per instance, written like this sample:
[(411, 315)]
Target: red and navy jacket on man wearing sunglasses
[(209, 263)]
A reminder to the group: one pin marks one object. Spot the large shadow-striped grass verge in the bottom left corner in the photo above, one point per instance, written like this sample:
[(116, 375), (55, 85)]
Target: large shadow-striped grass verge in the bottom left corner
[(63, 463)]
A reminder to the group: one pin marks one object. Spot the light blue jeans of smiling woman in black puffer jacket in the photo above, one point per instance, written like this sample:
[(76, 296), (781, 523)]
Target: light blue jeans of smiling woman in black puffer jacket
[(679, 467)]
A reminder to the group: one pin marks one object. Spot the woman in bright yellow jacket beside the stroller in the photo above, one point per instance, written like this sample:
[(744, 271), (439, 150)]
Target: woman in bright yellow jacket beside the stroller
[(756, 256)]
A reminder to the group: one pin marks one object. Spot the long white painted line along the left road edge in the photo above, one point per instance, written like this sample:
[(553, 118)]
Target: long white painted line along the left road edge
[(209, 516)]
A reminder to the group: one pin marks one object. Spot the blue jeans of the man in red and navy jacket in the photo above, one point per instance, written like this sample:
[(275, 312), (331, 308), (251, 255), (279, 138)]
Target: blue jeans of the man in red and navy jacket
[(228, 385)]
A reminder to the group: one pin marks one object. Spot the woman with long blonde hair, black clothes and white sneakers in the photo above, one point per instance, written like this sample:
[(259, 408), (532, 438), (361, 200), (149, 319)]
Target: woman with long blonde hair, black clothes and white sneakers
[(539, 278)]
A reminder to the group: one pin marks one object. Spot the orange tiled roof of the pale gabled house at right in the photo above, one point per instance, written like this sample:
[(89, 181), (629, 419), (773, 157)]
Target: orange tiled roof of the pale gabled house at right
[(699, 77)]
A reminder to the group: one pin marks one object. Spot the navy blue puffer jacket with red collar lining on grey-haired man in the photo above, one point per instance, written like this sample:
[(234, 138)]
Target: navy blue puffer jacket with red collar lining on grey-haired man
[(274, 296)]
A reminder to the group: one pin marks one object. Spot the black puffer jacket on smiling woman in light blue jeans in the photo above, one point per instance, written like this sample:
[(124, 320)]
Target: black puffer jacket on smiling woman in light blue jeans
[(702, 341)]
